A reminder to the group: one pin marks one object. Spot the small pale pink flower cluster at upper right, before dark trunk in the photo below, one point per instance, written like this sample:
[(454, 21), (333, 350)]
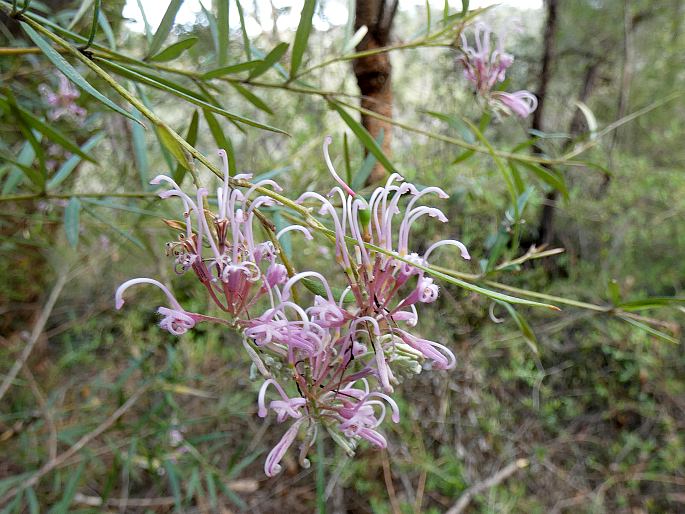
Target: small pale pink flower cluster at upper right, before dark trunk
[(485, 65)]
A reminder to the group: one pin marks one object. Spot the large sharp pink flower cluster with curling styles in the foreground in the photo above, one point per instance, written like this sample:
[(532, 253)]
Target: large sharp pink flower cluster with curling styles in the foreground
[(341, 351)]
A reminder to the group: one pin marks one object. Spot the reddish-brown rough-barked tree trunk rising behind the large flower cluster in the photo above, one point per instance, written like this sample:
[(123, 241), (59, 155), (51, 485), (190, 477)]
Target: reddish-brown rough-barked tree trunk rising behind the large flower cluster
[(374, 72)]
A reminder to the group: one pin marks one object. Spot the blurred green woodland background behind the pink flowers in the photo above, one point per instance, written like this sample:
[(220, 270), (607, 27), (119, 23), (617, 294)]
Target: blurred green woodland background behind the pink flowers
[(581, 410)]
